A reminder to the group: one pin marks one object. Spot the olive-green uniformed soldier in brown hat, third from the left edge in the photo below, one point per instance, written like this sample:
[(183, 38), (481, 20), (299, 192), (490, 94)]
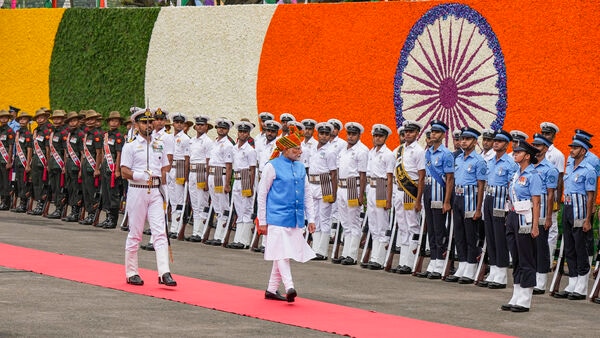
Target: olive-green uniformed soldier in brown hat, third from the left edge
[(39, 160)]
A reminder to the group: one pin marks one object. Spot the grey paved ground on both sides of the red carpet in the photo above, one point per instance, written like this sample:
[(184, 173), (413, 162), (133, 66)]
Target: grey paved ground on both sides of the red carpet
[(35, 305)]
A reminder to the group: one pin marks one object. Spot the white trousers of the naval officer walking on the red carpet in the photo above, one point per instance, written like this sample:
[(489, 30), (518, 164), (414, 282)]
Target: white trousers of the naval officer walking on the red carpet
[(142, 206)]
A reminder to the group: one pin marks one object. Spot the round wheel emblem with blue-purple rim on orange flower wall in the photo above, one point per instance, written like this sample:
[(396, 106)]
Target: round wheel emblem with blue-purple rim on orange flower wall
[(451, 68)]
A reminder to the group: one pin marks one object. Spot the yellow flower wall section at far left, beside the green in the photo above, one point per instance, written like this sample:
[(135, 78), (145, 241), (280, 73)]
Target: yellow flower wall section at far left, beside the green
[(27, 43)]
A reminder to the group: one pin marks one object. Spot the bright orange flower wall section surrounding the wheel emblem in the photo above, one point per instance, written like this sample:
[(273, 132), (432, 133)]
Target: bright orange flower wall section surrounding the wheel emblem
[(324, 61)]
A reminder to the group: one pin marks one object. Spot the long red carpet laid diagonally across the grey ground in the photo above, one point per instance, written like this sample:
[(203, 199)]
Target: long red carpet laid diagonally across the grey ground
[(248, 302)]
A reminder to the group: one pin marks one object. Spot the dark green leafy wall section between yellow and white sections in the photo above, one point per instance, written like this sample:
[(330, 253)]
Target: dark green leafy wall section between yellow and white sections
[(99, 59)]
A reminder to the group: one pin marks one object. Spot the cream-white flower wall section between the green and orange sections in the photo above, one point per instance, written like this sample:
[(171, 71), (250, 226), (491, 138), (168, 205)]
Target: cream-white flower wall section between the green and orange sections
[(204, 60)]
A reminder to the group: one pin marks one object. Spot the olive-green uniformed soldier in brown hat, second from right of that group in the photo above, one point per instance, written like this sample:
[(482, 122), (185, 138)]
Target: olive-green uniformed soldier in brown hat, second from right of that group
[(90, 166)]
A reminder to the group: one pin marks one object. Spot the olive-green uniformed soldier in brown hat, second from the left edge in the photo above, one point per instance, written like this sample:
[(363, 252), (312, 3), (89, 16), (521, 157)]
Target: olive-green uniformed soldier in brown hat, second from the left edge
[(22, 160)]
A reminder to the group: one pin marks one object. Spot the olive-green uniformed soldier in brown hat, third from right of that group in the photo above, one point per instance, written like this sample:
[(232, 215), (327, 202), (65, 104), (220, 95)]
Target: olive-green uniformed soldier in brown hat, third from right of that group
[(73, 147)]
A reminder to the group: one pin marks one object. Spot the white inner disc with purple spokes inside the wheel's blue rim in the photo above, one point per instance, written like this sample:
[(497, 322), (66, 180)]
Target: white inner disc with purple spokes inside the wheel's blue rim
[(451, 76)]
